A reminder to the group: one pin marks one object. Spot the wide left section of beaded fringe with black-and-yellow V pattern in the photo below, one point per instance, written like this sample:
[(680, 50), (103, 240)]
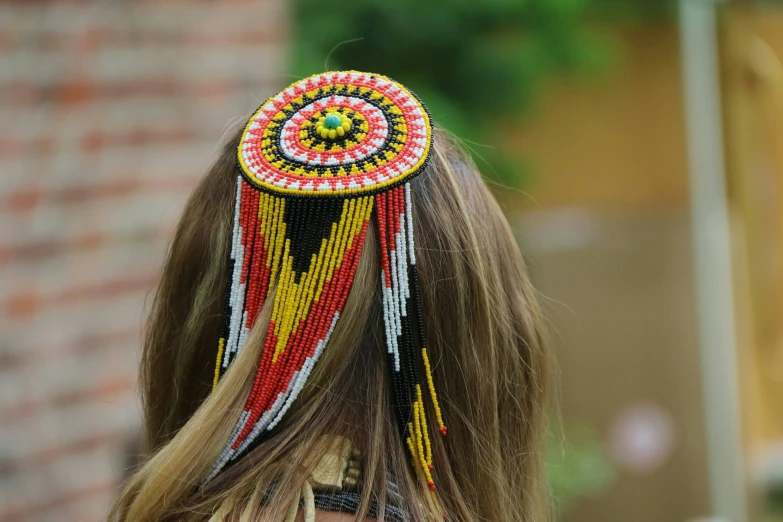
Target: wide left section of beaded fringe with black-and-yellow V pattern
[(310, 249)]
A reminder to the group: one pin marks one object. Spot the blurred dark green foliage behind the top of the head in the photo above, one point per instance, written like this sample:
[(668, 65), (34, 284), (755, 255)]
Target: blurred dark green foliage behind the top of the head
[(477, 64)]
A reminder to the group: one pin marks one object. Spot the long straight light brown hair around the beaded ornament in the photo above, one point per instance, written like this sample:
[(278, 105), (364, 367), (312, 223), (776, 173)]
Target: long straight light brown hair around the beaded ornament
[(485, 338)]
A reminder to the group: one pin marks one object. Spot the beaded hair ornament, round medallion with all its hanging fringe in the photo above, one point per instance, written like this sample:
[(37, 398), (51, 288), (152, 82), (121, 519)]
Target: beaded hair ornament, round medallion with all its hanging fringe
[(316, 162)]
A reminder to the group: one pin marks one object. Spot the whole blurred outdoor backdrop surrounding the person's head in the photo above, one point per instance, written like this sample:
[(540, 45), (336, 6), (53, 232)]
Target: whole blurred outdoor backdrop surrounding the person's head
[(636, 147)]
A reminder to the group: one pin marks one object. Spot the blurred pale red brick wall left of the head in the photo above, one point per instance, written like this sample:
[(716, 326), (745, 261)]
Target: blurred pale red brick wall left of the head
[(109, 113)]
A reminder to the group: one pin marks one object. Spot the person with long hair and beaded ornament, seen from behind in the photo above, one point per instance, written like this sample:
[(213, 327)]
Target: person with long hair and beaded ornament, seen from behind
[(353, 436)]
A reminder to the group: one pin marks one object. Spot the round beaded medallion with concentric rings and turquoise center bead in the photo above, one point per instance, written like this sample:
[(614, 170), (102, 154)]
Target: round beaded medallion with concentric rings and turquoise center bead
[(337, 133)]
